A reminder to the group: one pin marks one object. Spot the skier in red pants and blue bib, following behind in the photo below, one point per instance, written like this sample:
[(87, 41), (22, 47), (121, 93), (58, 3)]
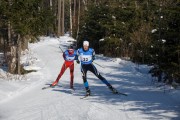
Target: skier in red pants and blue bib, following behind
[(69, 57)]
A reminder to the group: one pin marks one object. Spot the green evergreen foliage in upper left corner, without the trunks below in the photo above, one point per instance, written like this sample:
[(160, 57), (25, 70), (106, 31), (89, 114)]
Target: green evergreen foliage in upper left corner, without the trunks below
[(27, 17)]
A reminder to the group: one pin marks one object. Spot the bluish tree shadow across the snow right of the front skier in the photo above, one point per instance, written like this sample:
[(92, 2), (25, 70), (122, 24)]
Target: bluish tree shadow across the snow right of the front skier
[(142, 97)]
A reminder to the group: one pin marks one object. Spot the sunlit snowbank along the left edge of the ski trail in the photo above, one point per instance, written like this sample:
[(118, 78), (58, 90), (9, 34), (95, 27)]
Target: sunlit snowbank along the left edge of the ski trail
[(13, 85)]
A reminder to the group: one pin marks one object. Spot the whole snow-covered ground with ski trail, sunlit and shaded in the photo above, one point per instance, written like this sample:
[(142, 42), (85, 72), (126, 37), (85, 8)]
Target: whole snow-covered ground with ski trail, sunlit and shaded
[(25, 100)]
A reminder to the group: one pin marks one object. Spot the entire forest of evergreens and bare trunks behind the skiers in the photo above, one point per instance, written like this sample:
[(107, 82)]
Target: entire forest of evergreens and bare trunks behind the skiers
[(143, 31)]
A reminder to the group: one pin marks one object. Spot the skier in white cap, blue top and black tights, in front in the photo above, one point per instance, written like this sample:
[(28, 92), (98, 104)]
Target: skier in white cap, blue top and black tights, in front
[(86, 56)]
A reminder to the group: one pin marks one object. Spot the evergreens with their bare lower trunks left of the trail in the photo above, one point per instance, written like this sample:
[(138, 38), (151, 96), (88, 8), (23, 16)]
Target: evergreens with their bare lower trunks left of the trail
[(21, 20)]
